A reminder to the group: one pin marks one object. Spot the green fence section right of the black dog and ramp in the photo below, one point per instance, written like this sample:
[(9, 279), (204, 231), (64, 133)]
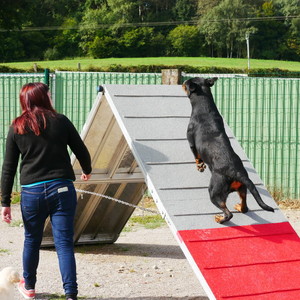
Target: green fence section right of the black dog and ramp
[(264, 115)]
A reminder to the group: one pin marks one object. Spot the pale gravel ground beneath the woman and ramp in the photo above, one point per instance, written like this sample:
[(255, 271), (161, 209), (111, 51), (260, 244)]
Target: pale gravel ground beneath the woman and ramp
[(143, 264)]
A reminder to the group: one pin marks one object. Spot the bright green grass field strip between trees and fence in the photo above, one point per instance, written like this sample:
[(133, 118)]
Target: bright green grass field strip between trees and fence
[(168, 61)]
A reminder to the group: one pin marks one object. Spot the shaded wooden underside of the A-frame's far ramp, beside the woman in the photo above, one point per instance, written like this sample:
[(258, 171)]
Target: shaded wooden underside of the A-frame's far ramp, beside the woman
[(115, 174)]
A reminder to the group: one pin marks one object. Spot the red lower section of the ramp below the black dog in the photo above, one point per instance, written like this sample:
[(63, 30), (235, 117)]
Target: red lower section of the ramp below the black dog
[(248, 262)]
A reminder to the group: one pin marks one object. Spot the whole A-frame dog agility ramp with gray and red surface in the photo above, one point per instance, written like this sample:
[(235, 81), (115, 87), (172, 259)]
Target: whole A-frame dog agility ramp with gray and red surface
[(254, 256)]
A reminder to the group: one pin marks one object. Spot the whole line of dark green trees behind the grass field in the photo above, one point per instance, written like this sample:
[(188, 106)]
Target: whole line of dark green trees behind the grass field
[(51, 29)]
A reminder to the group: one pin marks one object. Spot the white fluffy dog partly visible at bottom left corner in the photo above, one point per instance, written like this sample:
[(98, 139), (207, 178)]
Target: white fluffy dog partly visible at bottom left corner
[(8, 276)]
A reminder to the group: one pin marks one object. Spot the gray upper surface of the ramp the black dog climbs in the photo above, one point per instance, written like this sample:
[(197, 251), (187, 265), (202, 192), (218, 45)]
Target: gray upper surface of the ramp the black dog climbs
[(154, 121)]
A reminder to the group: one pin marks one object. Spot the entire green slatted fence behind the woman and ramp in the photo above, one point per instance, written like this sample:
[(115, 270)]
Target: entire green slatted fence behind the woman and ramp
[(262, 112)]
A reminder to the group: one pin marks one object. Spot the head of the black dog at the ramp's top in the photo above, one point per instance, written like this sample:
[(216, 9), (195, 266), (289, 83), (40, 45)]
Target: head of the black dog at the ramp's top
[(198, 85)]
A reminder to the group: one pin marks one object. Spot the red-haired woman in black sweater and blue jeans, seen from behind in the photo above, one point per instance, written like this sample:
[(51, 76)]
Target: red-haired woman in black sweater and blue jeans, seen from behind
[(41, 136)]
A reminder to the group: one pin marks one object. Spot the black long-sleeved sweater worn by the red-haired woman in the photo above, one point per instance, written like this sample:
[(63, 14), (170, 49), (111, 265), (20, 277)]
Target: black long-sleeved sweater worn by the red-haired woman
[(43, 157)]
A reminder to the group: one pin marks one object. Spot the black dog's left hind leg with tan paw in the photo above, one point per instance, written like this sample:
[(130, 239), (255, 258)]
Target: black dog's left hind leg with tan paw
[(218, 196)]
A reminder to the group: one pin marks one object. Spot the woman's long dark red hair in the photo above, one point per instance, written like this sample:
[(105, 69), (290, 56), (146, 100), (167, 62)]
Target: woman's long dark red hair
[(36, 105)]
